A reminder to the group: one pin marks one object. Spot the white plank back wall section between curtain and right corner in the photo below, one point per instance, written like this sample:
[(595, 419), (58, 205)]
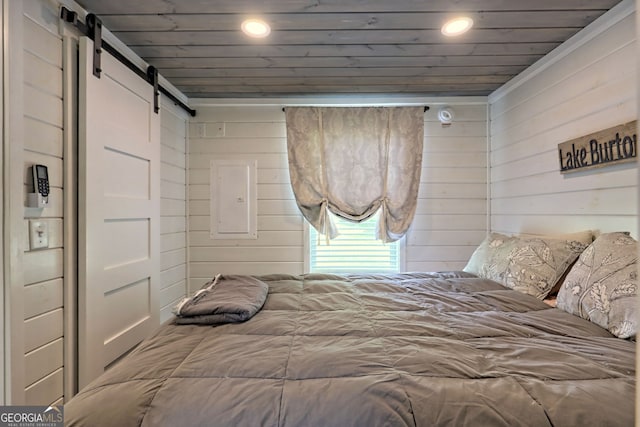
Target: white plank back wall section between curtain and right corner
[(451, 218)]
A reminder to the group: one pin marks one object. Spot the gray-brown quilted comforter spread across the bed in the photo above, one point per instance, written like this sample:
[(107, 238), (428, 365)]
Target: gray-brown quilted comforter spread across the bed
[(420, 349)]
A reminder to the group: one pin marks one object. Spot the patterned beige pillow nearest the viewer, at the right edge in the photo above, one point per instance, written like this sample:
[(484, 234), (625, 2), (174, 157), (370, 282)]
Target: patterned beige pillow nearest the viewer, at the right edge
[(602, 285)]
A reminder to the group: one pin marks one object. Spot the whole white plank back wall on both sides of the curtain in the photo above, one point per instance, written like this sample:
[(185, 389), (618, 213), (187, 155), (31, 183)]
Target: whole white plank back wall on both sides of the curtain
[(451, 218)]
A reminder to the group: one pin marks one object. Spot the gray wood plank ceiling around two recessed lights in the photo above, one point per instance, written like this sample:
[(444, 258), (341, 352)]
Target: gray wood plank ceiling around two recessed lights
[(342, 46)]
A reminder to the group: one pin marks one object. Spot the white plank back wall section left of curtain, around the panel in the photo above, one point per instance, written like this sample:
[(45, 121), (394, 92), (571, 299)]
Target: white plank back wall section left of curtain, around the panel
[(249, 133)]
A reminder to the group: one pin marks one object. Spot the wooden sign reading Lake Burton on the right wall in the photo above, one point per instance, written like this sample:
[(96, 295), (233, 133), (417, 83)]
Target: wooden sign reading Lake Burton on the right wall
[(610, 146)]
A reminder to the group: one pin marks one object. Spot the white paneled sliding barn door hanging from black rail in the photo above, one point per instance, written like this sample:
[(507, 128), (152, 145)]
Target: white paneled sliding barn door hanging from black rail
[(119, 212)]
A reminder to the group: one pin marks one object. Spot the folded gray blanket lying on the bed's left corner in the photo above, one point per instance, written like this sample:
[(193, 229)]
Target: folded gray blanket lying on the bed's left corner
[(225, 299)]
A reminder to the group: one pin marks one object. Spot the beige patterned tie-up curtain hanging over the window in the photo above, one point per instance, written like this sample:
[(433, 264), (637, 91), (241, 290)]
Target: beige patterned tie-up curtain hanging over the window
[(354, 161)]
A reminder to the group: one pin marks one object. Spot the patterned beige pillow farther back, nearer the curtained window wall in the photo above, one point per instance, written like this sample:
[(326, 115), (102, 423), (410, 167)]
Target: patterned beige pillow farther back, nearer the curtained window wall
[(529, 265)]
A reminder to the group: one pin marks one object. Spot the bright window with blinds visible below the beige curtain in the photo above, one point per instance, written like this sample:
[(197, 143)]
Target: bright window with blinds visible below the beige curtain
[(355, 250)]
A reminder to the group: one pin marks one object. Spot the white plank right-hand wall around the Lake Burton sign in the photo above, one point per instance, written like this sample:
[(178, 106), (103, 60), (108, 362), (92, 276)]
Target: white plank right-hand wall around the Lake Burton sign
[(589, 89)]
